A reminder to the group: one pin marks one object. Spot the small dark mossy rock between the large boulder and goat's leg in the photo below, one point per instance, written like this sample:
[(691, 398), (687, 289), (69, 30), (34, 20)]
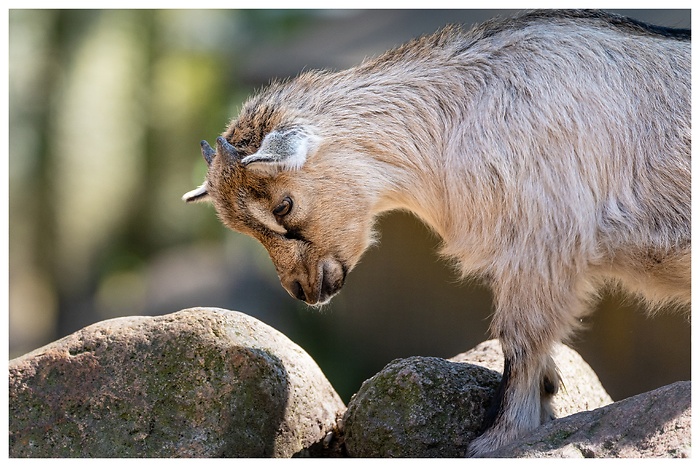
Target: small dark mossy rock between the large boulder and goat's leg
[(418, 407)]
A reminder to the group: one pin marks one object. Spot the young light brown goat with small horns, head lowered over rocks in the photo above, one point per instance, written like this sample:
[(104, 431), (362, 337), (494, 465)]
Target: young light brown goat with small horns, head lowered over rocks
[(550, 152)]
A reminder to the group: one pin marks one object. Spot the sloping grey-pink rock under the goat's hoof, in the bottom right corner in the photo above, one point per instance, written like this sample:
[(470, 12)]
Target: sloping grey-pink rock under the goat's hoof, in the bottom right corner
[(653, 424)]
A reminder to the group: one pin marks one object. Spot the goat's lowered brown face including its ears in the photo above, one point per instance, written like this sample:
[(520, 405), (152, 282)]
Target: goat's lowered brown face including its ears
[(314, 221)]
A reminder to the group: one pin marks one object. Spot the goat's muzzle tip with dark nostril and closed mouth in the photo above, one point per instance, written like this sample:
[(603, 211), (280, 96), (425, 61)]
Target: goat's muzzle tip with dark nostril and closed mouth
[(330, 277)]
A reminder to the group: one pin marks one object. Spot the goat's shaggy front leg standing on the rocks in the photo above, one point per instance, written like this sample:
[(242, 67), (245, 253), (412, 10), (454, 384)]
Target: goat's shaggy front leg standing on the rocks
[(531, 316)]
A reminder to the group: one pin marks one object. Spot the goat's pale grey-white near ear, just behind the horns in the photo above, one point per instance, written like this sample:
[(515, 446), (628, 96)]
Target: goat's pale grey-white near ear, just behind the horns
[(282, 150)]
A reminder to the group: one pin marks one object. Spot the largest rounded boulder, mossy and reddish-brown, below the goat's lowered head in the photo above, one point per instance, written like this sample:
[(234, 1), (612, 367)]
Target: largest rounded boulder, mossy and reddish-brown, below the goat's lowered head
[(197, 383)]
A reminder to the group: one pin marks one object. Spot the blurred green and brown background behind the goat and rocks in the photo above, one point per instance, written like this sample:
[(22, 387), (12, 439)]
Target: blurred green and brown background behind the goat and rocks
[(107, 108)]
